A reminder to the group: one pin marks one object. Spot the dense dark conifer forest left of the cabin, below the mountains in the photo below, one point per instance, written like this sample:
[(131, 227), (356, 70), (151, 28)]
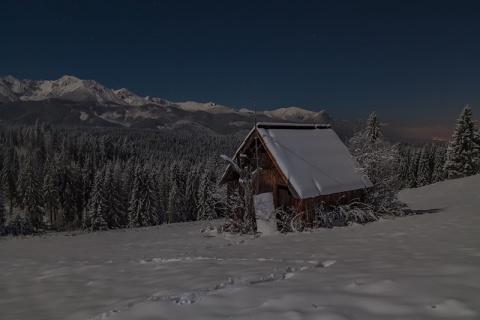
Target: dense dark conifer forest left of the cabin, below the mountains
[(98, 179)]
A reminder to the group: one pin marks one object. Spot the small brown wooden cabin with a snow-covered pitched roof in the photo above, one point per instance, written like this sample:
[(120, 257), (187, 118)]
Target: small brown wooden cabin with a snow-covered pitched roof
[(303, 165)]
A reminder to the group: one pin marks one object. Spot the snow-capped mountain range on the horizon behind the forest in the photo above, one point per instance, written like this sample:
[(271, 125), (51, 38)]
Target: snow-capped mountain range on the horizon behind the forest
[(73, 101)]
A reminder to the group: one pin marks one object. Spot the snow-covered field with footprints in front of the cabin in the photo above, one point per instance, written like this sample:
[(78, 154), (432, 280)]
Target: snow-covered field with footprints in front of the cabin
[(419, 267)]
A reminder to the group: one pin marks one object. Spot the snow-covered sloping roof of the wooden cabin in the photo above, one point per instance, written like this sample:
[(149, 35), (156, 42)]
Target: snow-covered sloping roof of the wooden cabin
[(312, 158)]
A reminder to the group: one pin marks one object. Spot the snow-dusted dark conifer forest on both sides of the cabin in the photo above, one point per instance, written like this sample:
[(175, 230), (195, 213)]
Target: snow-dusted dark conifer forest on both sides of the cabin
[(68, 178)]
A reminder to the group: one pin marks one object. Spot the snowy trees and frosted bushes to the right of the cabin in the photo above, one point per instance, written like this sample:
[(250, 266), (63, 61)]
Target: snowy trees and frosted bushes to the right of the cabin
[(392, 167)]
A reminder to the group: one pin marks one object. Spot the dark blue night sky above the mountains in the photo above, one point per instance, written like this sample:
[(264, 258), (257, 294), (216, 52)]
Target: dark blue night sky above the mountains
[(411, 61)]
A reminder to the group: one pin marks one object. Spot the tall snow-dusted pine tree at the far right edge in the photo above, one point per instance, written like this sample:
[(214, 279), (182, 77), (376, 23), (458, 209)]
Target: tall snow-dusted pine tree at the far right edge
[(463, 152)]
